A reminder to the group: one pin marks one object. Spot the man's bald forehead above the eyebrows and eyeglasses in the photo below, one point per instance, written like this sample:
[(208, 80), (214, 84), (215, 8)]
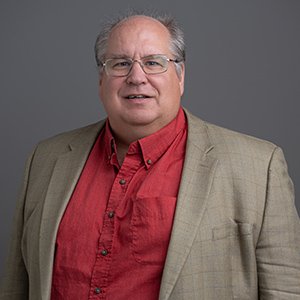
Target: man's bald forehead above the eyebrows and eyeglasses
[(139, 36)]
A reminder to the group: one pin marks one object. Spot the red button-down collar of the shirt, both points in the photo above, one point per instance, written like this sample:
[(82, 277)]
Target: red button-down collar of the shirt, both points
[(151, 147)]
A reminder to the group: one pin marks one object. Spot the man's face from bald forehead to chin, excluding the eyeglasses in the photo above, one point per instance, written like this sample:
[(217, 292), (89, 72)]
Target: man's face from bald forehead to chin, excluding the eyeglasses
[(136, 38)]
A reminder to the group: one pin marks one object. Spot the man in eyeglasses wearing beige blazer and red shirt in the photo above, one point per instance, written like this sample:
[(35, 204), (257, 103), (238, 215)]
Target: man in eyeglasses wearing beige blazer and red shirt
[(153, 202)]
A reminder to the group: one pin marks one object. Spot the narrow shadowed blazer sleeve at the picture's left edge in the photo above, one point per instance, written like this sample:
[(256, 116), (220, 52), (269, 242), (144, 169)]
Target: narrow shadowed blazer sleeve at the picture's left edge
[(15, 283)]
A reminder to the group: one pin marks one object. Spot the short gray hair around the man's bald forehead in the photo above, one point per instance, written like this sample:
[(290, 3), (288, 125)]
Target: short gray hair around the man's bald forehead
[(177, 45)]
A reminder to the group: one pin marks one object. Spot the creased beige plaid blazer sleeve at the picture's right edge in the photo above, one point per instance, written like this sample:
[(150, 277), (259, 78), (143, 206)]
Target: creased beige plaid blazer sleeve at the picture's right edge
[(278, 248)]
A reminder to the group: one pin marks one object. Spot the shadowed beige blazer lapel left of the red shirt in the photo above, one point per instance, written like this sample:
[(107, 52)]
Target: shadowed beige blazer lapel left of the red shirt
[(63, 181)]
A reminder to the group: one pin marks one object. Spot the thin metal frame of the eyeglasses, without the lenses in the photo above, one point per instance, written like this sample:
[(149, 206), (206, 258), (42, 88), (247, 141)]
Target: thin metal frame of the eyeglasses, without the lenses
[(139, 61)]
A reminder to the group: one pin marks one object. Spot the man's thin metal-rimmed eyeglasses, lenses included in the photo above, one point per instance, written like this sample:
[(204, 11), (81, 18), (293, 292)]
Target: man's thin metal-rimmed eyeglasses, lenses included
[(153, 64)]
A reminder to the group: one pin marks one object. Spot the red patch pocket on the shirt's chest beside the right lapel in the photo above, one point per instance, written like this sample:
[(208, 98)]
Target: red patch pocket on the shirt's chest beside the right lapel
[(151, 225)]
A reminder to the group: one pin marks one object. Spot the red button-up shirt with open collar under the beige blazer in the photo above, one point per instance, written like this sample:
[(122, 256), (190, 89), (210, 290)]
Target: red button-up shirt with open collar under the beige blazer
[(113, 238)]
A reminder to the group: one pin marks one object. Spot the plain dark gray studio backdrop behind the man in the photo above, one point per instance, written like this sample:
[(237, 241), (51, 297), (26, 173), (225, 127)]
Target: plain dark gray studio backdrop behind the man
[(243, 73)]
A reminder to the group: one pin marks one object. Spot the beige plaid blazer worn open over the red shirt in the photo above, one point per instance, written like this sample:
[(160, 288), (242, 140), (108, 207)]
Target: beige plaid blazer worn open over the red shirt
[(236, 233)]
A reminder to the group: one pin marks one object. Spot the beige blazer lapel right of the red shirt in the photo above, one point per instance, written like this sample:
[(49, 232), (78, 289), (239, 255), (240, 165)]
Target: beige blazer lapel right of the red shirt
[(195, 185)]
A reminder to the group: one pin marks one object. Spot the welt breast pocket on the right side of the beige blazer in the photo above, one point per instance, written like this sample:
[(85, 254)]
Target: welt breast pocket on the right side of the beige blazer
[(233, 229)]
